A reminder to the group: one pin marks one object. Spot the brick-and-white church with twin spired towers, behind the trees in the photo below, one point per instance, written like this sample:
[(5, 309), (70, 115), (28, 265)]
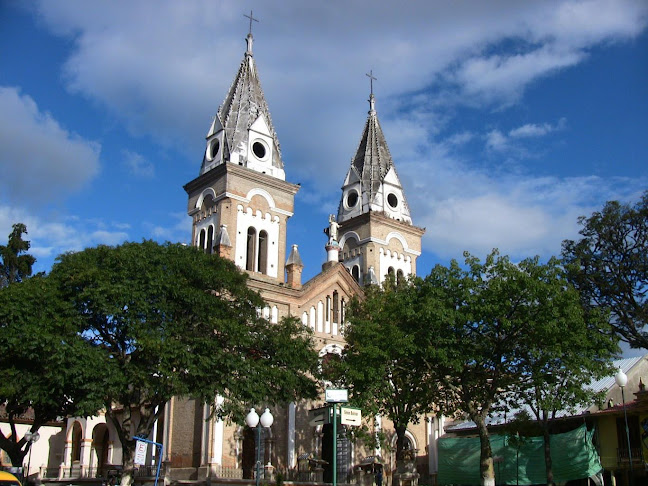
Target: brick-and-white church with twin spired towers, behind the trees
[(240, 205)]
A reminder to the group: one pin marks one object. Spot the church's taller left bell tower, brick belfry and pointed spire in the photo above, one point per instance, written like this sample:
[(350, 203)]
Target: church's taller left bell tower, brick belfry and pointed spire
[(240, 202)]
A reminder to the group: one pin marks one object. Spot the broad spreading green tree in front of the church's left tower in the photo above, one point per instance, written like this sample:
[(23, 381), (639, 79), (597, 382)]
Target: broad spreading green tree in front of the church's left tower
[(174, 321)]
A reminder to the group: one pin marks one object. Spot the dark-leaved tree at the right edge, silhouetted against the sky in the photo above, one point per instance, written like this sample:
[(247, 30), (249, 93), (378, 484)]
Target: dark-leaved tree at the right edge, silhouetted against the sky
[(609, 266)]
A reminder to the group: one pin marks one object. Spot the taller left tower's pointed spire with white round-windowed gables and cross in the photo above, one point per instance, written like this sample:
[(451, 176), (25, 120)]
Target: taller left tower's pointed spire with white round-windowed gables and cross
[(242, 131)]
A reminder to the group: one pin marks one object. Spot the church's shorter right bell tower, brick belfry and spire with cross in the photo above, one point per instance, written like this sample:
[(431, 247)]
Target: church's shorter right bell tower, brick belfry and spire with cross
[(377, 236)]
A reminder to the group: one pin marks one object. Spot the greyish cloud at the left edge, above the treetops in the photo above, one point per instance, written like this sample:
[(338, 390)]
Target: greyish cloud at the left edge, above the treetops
[(40, 160)]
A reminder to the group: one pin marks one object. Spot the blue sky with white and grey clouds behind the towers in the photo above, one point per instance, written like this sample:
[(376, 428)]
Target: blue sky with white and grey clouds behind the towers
[(506, 119)]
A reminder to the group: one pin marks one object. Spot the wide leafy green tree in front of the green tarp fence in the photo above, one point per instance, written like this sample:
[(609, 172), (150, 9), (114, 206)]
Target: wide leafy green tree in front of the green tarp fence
[(504, 332)]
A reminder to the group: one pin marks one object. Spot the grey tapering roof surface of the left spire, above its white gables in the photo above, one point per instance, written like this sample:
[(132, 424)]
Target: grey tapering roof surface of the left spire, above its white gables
[(244, 104)]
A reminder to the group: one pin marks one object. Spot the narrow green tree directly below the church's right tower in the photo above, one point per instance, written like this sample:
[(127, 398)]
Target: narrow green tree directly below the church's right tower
[(381, 360)]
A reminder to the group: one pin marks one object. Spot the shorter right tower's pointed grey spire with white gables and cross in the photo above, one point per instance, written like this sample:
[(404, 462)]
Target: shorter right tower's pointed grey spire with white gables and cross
[(372, 183)]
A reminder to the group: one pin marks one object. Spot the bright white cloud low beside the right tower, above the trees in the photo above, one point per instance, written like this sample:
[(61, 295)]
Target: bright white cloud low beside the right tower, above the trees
[(468, 209)]
